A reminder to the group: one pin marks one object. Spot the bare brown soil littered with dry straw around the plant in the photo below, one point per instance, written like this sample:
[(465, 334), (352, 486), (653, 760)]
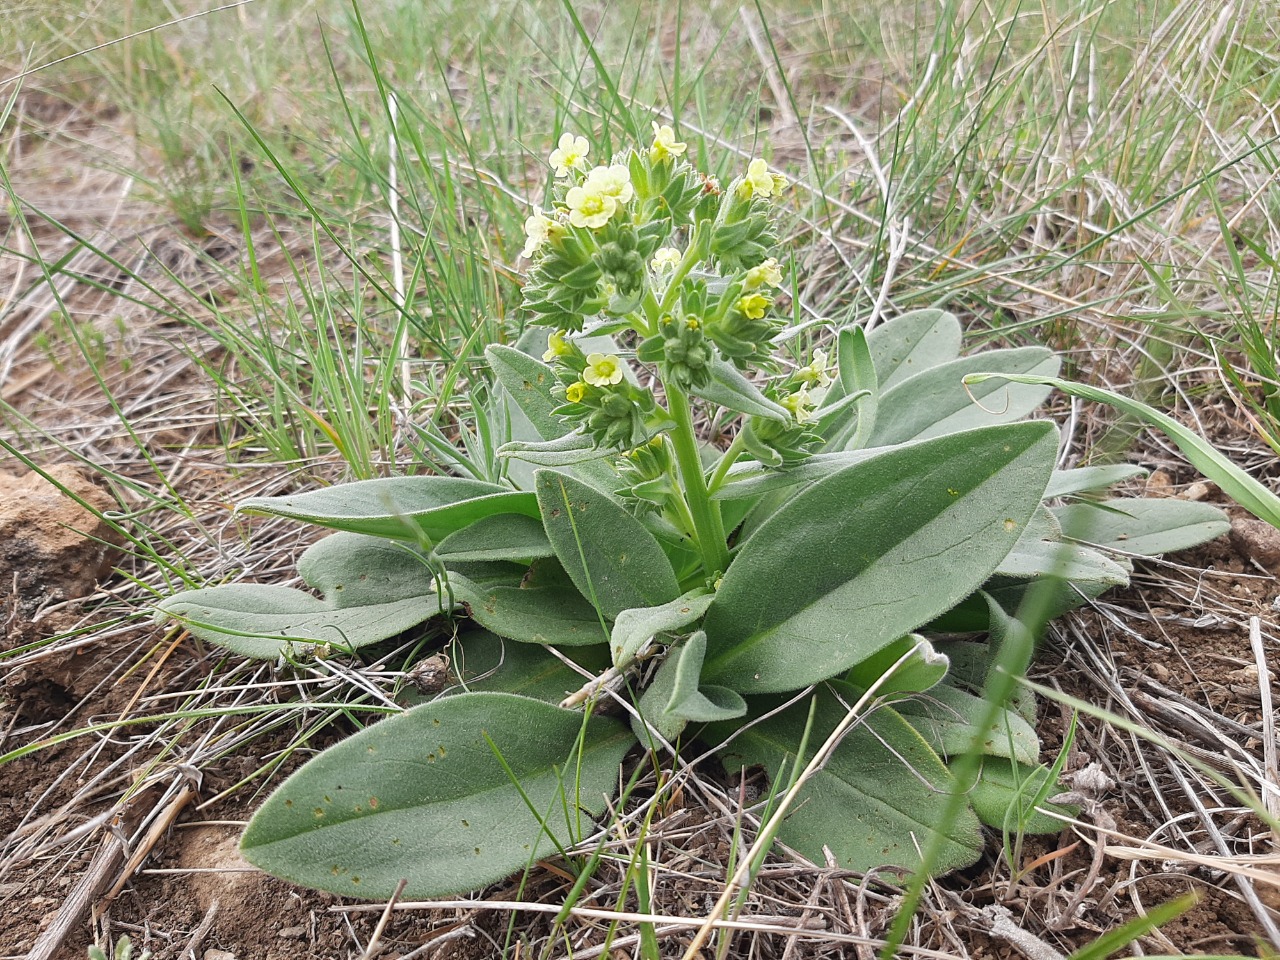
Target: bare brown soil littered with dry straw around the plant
[(1173, 655)]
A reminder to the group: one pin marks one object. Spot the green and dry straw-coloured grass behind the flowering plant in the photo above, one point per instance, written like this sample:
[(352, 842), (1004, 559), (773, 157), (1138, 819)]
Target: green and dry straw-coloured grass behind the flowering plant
[(1096, 175)]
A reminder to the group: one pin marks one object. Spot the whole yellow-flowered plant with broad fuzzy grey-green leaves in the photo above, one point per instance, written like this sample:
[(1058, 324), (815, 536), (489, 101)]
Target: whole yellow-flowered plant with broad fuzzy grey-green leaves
[(618, 582)]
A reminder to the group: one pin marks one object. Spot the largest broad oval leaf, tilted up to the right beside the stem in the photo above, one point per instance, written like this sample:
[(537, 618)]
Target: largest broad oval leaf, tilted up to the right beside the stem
[(872, 554)]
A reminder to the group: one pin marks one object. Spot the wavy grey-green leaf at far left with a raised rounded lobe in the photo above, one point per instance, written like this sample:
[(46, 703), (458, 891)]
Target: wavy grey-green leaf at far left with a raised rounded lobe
[(373, 591)]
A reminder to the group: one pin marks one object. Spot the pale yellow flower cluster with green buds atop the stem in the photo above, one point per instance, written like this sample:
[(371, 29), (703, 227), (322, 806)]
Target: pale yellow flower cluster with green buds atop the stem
[(644, 245)]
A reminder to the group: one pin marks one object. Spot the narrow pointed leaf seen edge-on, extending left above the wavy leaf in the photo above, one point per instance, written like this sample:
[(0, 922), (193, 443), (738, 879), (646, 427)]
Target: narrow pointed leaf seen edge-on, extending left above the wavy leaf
[(399, 508)]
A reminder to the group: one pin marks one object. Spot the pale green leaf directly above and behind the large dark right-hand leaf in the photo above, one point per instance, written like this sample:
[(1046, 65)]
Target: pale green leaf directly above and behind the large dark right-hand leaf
[(936, 403)]
